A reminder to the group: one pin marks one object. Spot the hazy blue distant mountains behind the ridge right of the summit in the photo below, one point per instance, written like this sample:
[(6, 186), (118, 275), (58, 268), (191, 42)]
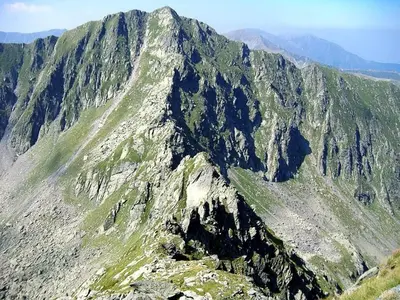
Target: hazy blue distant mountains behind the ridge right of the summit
[(304, 48)]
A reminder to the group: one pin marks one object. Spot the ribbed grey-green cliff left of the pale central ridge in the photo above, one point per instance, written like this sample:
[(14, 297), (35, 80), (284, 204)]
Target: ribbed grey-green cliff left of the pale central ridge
[(86, 69)]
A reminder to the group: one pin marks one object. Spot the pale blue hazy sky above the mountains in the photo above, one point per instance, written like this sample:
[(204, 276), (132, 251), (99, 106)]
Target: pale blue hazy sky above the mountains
[(274, 16)]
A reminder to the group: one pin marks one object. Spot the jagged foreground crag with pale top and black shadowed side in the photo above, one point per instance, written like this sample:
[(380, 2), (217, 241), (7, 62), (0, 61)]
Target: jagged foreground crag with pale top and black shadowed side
[(217, 221)]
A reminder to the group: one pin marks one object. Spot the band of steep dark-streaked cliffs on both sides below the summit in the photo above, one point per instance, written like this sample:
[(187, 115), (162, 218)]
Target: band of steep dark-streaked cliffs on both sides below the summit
[(258, 119)]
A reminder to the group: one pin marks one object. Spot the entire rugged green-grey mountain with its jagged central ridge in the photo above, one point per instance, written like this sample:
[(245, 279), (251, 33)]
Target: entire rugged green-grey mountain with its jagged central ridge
[(145, 156)]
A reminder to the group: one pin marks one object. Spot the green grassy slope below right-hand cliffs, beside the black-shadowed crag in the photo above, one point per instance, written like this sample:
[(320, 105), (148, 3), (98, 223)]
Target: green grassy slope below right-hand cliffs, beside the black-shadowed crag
[(314, 189)]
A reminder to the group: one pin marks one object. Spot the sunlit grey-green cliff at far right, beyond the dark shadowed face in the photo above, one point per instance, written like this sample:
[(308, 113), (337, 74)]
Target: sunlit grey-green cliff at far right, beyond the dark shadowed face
[(354, 141)]
